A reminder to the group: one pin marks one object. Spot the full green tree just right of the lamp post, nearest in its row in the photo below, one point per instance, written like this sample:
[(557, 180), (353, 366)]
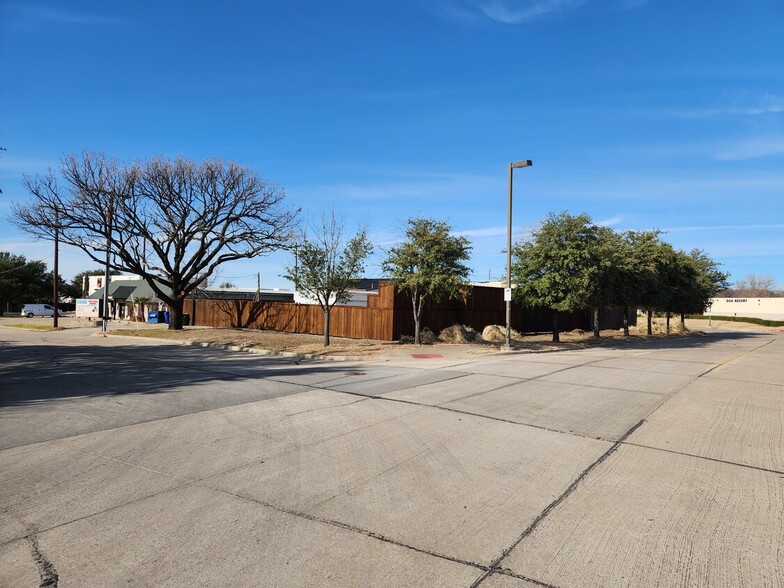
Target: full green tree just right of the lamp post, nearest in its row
[(557, 267)]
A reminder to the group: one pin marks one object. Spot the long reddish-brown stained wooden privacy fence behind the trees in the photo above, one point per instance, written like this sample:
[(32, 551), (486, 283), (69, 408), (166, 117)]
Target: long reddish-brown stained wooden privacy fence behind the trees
[(388, 316)]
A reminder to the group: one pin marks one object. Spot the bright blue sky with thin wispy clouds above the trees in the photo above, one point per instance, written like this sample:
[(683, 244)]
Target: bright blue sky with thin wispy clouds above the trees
[(645, 114)]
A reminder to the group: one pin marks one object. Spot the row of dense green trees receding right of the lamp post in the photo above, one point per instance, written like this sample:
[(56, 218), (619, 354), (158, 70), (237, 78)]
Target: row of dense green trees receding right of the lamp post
[(571, 264)]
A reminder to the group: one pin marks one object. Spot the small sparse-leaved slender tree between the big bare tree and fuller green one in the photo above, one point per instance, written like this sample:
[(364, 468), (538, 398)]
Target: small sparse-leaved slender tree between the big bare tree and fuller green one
[(328, 266)]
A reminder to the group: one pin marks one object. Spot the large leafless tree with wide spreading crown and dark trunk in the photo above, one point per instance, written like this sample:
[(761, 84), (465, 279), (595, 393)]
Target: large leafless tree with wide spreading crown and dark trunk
[(171, 221)]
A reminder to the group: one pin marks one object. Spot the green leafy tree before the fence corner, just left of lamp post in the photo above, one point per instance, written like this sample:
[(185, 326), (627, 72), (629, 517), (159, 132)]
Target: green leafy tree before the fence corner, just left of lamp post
[(429, 265)]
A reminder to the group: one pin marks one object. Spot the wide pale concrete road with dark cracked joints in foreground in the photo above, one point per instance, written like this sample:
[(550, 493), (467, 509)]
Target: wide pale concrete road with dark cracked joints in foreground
[(657, 463)]
